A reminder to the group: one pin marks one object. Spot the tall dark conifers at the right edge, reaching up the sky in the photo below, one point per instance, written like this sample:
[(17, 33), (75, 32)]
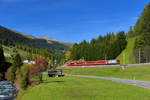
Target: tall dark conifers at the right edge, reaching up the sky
[(142, 28)]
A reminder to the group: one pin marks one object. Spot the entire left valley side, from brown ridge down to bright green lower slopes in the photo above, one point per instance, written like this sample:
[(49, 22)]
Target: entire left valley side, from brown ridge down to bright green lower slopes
[(30, 47)]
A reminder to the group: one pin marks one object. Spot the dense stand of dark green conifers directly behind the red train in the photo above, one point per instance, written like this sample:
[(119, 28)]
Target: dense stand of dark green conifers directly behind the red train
[(107, 47)]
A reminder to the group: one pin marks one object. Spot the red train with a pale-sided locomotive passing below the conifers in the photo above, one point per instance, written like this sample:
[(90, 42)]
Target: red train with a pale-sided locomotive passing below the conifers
[(87, 63)]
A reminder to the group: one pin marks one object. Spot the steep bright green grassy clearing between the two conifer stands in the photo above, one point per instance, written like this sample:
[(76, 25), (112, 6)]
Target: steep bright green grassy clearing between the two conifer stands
[(128, 52)]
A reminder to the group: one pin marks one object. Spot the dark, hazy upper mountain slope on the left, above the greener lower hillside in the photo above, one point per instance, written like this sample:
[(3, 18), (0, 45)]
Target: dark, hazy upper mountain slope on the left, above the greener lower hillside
[(10, 37)]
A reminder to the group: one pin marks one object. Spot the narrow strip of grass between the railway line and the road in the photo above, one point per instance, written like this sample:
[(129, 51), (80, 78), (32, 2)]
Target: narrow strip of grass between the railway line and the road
[(133, 73)]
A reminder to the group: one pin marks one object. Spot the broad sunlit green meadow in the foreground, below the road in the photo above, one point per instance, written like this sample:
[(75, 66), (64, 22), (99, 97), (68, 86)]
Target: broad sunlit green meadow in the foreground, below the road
[(75, 88)]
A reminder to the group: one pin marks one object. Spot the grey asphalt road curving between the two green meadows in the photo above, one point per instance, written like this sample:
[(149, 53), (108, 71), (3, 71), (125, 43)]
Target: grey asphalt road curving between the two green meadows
[(143, 84)]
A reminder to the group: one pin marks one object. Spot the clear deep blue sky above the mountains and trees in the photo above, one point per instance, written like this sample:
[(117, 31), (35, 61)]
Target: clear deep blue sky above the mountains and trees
[(70, 20)]
